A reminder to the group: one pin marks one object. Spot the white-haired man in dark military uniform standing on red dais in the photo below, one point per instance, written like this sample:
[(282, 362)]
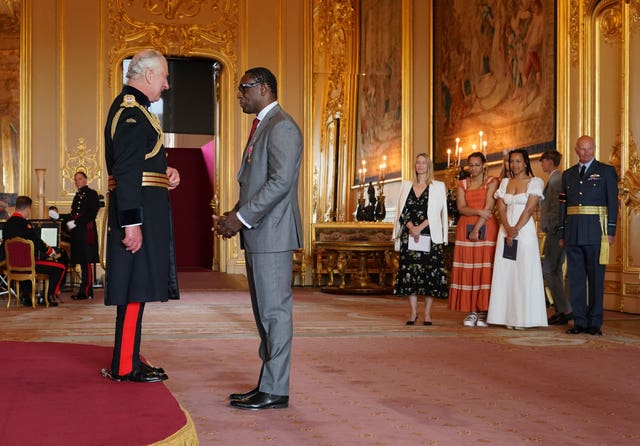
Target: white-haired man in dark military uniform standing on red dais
[(140, 261)]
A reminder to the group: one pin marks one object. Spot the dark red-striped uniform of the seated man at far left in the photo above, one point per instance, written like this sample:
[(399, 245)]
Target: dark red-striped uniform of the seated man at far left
[(18, 226)]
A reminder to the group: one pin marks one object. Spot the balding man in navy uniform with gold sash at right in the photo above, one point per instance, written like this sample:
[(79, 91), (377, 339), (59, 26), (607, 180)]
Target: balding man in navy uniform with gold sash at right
[(588, 216)]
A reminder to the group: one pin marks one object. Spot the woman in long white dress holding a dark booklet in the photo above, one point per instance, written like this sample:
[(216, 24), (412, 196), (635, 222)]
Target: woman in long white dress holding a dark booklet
[(517, 291)]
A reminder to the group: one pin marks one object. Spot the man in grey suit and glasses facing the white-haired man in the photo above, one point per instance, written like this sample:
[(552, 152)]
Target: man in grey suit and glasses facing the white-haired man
[(267, 216)]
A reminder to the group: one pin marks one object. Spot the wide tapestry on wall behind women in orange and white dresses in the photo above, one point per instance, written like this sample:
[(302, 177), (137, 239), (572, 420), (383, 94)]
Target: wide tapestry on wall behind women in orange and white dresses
[(493, 78)]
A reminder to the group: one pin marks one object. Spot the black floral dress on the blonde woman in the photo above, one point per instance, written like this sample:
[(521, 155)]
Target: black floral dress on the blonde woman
[(419, 272)]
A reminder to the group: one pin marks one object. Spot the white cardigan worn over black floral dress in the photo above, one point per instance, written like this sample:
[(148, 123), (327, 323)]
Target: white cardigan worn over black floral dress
[(437, 212)]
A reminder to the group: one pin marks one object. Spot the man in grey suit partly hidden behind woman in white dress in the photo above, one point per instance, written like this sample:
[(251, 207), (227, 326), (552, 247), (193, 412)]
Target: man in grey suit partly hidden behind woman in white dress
[(554, 254)]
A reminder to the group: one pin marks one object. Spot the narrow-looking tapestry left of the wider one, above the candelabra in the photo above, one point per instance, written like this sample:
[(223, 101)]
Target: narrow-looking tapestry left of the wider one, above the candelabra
[(379, 92)]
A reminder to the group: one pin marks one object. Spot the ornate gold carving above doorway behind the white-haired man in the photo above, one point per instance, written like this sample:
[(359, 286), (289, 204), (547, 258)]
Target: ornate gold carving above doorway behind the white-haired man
[(163, 24)]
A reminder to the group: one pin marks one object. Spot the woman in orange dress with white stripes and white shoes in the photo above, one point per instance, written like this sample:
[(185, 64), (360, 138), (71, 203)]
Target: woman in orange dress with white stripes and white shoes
[(475, 244)]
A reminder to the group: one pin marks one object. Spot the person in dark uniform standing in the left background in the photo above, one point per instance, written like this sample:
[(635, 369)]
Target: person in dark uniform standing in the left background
[(84, 233)]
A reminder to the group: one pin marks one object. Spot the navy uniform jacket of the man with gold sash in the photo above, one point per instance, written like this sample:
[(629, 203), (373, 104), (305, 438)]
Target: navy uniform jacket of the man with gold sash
[(598, 187)]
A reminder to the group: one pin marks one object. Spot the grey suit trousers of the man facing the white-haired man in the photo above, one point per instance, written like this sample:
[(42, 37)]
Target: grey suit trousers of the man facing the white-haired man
[(269, 276)]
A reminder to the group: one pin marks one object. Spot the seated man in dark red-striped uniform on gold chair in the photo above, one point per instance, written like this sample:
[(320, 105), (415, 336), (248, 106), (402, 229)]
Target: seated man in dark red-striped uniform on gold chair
[(18, 225)]
